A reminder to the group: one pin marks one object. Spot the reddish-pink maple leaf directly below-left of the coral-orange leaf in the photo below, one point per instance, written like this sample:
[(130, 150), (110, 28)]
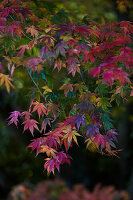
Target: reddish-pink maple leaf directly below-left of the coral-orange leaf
[(31, 124)]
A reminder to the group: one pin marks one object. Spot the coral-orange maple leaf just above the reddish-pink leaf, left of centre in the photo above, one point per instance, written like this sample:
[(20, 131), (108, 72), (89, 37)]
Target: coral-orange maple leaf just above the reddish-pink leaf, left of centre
[(39, 107)]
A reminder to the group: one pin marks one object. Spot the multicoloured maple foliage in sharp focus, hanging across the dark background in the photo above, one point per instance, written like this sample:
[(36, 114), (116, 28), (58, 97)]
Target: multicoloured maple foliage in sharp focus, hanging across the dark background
[(84, 69)]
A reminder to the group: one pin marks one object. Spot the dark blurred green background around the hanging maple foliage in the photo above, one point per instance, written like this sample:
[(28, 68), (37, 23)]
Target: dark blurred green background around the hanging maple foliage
[(18, 165)]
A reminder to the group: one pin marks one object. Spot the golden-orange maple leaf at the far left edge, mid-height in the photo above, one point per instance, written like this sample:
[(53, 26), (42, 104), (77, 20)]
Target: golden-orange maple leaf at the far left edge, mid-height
[(6, 80)]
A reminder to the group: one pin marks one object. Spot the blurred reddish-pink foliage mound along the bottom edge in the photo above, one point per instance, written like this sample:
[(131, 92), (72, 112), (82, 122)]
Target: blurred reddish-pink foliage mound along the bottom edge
[(57, 190)]
